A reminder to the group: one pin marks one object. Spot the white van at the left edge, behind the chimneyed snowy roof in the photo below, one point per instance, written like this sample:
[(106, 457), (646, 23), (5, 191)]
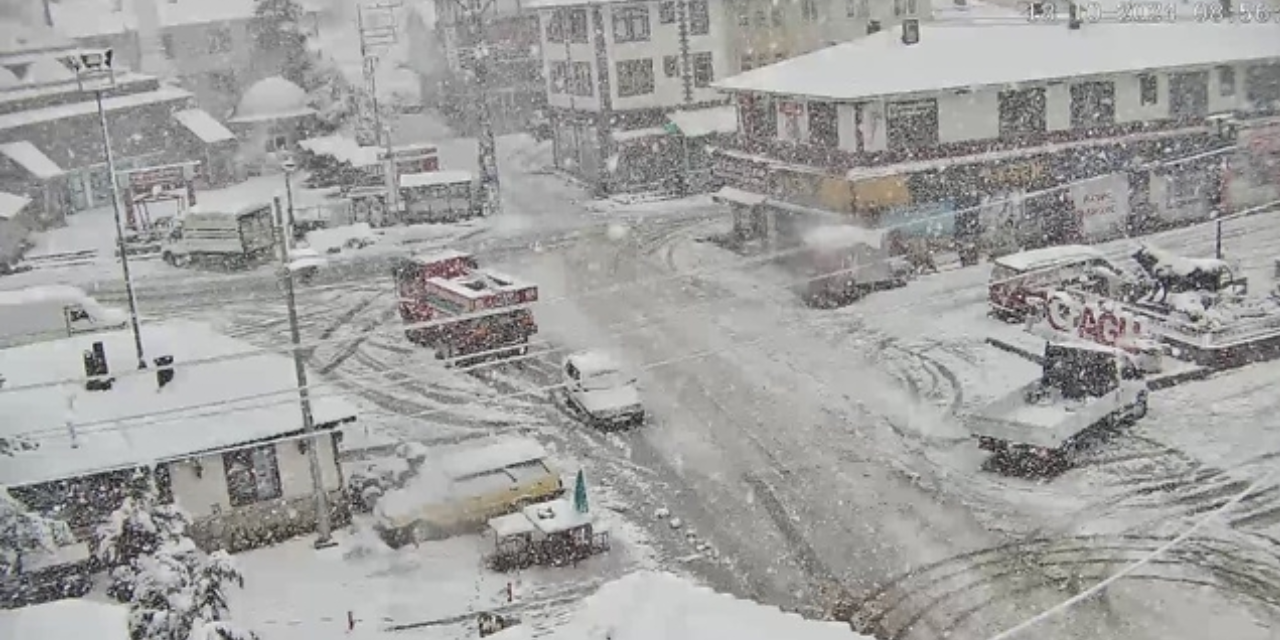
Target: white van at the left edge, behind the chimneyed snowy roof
[(39, 314)]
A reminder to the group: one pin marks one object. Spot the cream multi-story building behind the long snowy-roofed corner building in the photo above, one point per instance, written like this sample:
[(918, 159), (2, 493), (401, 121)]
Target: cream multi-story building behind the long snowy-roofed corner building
[(629, 84)]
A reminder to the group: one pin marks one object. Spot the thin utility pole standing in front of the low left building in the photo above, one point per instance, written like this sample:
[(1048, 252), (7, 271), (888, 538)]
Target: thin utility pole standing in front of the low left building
[(324, 534)]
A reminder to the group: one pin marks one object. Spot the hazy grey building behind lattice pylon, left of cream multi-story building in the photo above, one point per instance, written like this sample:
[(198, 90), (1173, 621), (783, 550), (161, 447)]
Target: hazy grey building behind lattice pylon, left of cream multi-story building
[(514, 84)]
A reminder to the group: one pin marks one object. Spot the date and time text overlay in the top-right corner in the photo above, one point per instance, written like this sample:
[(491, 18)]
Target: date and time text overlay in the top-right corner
[(1209, 12)]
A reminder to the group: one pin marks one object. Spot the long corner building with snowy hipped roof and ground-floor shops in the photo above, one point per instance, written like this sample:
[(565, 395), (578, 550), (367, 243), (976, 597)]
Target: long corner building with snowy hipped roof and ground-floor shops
[(892, 129)]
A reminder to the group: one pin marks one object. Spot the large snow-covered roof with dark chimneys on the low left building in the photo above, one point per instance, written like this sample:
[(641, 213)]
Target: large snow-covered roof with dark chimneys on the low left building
[(198, 412)]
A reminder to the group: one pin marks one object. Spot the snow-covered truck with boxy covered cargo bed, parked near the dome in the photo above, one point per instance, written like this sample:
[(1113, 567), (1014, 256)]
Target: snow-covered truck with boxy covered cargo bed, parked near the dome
[(232, 239)]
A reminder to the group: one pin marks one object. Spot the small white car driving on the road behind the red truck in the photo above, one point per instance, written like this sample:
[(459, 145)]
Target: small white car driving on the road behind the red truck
[(598, 386)]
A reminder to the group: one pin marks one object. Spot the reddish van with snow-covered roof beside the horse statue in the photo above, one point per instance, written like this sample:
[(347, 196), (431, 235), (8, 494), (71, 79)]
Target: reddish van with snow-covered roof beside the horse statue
[(1020, 281)]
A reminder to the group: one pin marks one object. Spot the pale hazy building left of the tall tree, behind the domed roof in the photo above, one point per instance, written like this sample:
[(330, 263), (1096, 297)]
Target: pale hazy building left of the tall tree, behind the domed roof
[(205, 47)]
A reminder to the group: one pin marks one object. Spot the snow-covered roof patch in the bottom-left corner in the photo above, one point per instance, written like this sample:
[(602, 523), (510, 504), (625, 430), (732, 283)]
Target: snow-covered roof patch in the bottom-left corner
[(72, 618)]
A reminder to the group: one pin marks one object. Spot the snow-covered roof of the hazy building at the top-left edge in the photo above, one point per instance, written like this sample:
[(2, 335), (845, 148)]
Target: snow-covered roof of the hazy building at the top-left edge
[(83, 19)]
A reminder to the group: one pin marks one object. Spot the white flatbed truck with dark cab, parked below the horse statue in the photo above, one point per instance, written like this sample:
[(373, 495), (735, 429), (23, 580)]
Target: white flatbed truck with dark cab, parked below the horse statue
[(1085, 390)]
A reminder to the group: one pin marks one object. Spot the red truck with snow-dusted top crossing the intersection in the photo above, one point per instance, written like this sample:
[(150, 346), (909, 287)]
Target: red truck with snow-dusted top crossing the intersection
[(451, 285)]
